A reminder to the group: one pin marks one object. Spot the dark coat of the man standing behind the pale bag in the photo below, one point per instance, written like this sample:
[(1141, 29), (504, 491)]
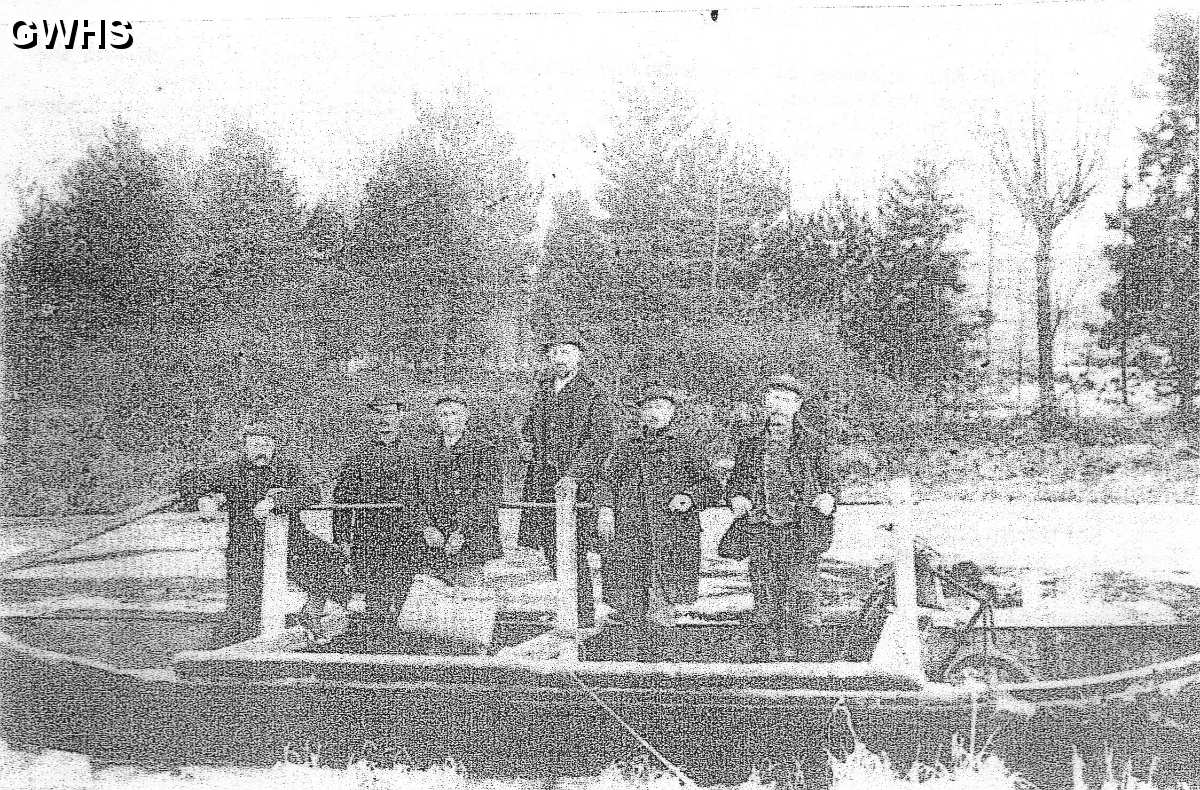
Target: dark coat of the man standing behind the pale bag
[(459, 489)]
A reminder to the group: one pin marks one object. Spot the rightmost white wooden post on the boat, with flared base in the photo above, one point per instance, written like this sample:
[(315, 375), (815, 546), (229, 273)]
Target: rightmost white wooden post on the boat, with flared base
[(901, 642)]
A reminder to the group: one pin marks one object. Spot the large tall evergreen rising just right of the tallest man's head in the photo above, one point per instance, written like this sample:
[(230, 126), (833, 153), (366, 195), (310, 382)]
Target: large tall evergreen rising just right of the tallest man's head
[(686, 210)]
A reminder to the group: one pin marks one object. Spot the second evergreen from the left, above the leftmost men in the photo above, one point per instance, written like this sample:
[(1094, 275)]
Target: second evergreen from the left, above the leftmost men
[(251, 326)]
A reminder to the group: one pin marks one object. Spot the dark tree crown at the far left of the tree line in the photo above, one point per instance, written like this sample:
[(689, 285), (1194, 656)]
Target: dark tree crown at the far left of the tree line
[(95, 261)]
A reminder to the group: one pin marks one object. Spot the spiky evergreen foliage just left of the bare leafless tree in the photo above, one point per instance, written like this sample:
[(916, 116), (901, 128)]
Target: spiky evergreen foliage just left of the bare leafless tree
[(890, 285)]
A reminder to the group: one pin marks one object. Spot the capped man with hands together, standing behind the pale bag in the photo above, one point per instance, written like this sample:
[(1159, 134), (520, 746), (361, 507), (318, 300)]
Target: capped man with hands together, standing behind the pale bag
[(459, 489)]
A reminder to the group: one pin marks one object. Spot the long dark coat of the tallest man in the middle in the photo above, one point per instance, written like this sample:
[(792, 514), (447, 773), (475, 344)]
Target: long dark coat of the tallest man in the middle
[(572, 436)]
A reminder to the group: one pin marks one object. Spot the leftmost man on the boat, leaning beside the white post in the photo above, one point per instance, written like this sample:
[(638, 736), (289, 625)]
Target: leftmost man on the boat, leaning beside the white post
[(256, 484)]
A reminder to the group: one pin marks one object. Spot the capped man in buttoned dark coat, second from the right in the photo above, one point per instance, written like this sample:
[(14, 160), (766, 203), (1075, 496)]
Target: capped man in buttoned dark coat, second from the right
[(652, 490)]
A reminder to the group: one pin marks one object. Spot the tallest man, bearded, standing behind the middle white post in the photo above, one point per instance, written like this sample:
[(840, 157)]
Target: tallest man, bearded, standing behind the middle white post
[(568, 435)]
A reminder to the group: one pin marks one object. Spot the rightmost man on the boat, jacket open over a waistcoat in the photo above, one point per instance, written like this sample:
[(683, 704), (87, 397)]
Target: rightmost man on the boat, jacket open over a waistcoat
[(783, 493)]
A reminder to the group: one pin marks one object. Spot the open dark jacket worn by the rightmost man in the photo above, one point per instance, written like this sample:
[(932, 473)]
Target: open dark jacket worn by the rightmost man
[(813, 472)]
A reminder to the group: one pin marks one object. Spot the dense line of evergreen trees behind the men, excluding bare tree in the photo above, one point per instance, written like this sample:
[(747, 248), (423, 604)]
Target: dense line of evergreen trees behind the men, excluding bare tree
[(167, 298)]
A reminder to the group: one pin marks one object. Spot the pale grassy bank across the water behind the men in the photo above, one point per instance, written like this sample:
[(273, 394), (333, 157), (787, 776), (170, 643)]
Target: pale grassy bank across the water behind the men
[(61, 460)]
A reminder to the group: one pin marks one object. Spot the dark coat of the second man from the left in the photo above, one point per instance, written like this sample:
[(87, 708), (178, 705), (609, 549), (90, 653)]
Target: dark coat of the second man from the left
[(382, 541)]
